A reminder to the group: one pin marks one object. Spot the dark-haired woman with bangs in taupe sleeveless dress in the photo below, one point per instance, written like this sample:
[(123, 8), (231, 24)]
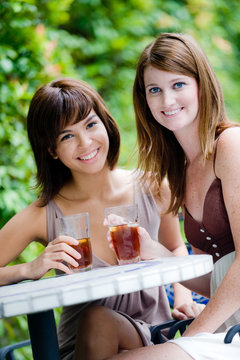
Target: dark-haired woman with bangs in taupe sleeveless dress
[(76, 143)]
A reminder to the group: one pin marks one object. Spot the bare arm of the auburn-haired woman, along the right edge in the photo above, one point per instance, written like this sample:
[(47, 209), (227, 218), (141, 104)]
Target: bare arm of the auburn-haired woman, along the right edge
[(222, 306)]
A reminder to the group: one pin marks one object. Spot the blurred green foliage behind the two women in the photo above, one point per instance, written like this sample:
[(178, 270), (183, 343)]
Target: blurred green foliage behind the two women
[(98, 41)]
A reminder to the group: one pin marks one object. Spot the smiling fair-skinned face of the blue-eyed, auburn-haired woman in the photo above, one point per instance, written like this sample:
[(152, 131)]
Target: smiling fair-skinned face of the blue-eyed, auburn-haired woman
[(172, 98)]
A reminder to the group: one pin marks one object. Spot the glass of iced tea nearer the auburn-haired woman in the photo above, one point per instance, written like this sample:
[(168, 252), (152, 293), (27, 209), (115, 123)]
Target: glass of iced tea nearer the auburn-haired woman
[(123, 226)]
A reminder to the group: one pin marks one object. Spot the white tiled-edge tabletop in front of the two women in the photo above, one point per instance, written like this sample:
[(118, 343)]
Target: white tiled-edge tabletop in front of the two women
[(33, 296)]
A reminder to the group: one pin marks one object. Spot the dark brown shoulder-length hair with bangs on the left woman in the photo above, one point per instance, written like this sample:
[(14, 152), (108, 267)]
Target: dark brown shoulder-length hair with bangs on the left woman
[(53, 107)]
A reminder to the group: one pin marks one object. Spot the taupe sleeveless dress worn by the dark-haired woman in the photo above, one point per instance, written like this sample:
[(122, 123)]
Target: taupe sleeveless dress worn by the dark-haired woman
[(142, 308)]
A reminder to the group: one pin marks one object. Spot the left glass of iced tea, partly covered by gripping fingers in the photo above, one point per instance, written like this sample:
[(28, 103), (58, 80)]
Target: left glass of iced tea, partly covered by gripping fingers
[(78, 227)]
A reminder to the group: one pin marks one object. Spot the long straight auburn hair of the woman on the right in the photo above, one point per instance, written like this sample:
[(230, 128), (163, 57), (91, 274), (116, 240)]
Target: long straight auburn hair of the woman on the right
[(159, 150)]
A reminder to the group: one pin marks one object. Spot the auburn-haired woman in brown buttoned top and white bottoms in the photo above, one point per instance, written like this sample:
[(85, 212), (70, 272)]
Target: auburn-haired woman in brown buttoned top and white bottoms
[(184, 135)]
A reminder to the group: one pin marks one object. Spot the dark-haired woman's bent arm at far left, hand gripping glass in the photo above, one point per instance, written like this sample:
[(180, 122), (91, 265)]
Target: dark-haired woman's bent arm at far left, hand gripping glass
[(27, 226)]
